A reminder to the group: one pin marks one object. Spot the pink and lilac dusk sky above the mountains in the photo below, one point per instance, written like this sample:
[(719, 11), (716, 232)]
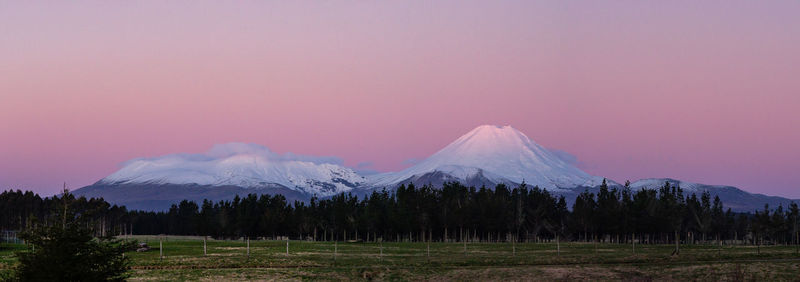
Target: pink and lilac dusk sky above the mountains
[(703, 91)]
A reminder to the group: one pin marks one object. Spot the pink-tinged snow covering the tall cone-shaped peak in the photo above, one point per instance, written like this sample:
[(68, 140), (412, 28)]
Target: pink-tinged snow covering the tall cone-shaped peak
[(498, 155)]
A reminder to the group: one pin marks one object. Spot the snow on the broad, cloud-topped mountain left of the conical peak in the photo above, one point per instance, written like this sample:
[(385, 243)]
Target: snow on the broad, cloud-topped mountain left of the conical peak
[(242, 165)]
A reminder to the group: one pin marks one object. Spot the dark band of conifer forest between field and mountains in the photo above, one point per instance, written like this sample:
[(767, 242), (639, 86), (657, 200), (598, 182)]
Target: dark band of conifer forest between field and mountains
[(450, 213)]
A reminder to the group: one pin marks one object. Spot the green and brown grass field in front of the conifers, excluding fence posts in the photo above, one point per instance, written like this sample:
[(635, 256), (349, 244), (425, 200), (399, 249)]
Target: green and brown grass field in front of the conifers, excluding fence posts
[(228, 260)]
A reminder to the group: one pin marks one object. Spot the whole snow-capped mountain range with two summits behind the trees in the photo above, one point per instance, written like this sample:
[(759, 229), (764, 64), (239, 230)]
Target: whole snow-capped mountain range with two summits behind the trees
[(487, 155)]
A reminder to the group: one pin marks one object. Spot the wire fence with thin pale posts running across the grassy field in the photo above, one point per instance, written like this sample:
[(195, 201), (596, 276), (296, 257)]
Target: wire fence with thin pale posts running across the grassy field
[(201, 252)]
